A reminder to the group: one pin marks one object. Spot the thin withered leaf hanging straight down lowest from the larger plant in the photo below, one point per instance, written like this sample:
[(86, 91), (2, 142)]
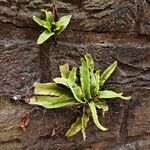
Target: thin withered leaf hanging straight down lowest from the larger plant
[(85, 119)]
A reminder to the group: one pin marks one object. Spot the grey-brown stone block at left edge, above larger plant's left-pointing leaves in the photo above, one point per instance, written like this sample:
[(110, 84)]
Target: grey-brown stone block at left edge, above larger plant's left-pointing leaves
[(19, 63)]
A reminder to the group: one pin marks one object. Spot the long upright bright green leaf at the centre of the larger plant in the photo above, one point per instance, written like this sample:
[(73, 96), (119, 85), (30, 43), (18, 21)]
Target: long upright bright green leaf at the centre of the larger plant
[(85, 79)]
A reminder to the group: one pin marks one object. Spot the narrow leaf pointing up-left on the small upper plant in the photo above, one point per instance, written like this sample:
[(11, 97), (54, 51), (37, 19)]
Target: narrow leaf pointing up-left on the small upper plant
[(42, 23)]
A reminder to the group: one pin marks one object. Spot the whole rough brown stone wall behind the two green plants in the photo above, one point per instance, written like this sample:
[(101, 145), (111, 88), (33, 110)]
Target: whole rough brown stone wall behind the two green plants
[(107, 29)]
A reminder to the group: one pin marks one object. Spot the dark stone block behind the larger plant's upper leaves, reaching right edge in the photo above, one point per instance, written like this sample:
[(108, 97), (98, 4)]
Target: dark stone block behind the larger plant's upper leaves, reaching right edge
[(133, 59)]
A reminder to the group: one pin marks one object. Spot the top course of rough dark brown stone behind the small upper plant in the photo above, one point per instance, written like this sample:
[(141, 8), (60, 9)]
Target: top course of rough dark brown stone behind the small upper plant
[(90, 15)]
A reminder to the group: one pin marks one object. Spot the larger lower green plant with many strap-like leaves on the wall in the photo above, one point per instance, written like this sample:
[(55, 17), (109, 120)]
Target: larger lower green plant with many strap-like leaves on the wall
[(85, 92)]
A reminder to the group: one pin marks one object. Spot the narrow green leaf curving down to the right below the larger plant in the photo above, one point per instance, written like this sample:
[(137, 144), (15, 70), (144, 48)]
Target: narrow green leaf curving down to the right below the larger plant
[(95, 117)]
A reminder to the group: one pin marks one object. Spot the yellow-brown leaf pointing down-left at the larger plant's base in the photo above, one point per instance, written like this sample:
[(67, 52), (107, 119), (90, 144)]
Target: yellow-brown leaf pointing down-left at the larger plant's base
[(75, 128)]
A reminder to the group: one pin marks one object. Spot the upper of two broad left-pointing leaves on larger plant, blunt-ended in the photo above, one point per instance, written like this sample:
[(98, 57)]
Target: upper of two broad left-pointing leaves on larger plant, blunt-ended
[(50, 89)]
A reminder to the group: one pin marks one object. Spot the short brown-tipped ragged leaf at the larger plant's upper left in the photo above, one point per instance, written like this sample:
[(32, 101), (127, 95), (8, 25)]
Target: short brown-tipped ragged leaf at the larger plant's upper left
[(64, 70)]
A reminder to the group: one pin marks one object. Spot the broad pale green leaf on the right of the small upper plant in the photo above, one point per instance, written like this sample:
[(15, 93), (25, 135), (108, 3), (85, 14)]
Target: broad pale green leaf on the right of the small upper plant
[(63, 22)]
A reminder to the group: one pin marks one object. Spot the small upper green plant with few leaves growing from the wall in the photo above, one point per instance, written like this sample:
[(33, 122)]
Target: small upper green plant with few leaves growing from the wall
[(51, 26)]
